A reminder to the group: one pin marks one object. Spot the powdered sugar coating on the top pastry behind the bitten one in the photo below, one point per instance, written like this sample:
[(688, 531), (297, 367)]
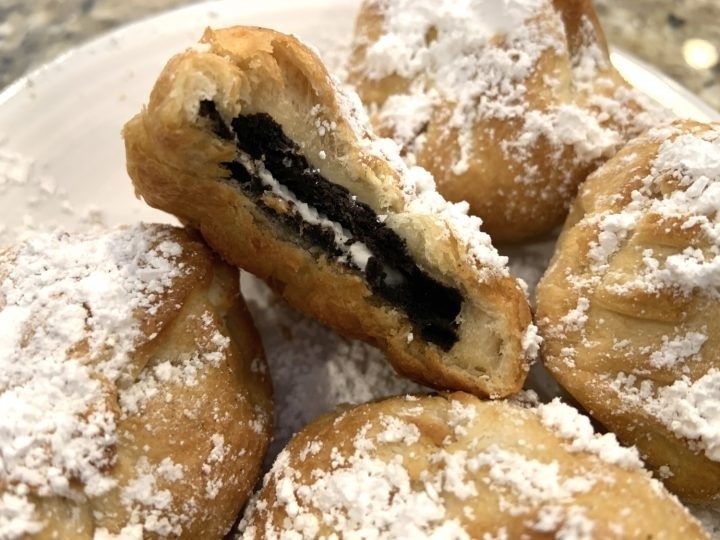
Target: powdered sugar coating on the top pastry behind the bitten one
[(476, 57)]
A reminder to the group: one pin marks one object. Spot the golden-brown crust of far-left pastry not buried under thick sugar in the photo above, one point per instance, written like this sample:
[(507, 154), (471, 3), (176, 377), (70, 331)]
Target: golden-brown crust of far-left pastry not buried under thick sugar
[(190, 405)]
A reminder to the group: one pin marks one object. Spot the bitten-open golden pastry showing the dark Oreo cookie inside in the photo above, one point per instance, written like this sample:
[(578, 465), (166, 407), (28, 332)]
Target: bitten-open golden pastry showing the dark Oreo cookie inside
[(247, 139)]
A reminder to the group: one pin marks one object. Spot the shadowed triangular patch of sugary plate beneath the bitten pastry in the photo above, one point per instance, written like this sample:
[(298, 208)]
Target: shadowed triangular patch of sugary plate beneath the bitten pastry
[(314, 370)]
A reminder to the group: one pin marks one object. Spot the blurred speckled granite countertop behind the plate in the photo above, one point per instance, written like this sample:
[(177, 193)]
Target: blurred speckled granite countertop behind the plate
[(681, 37)]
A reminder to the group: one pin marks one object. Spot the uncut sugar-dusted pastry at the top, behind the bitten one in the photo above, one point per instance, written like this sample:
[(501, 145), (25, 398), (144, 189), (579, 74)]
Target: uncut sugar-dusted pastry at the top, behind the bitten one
[(508, 103)]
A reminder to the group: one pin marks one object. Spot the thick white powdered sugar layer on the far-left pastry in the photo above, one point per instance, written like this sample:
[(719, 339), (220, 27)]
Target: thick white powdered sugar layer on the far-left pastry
[(68, 321)]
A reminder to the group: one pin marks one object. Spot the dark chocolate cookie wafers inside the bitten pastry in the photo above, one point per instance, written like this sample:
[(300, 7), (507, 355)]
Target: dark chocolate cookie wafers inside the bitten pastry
[(391, 273)]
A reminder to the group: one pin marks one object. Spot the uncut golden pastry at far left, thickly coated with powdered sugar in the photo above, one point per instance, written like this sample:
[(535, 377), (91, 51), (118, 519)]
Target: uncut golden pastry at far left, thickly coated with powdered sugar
[(134, 398)]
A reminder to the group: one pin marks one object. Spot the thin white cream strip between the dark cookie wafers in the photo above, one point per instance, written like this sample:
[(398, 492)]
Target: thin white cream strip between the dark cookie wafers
[(353, 250)]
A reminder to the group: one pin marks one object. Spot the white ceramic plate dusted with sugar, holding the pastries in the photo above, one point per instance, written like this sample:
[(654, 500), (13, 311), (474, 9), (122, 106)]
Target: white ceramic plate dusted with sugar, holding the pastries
[(62, 163)]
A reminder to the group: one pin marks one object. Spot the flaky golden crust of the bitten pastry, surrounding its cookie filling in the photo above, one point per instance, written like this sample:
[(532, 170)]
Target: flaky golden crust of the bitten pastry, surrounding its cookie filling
[(176, 163)]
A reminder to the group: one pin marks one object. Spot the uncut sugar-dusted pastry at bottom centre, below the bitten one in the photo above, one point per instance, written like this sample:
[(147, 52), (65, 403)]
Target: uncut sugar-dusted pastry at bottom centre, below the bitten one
[(455, 467)]
